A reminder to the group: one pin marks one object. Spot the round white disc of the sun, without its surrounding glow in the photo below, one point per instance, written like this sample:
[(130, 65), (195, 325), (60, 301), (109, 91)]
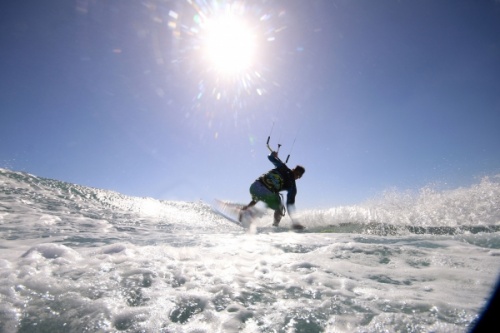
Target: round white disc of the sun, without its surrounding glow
[(229, 45)]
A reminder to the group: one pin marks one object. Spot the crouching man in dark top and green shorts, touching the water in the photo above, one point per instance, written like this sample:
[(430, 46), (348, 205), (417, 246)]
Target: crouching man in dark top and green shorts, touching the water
[(267, 189)]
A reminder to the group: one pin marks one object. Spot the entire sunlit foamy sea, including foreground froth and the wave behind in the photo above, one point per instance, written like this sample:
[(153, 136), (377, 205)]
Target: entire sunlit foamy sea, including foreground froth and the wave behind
[(77, 259)]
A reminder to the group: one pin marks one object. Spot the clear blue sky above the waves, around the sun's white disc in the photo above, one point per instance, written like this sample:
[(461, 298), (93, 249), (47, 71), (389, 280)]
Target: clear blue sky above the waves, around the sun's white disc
[(367, 95)]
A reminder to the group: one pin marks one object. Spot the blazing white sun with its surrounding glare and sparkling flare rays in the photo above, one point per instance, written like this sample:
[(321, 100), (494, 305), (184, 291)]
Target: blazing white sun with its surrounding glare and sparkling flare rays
[(226, 48)]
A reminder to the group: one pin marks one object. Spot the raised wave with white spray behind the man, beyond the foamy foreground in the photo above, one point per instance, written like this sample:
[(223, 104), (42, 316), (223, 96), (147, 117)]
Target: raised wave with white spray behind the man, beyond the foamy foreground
[(53, 206)]
